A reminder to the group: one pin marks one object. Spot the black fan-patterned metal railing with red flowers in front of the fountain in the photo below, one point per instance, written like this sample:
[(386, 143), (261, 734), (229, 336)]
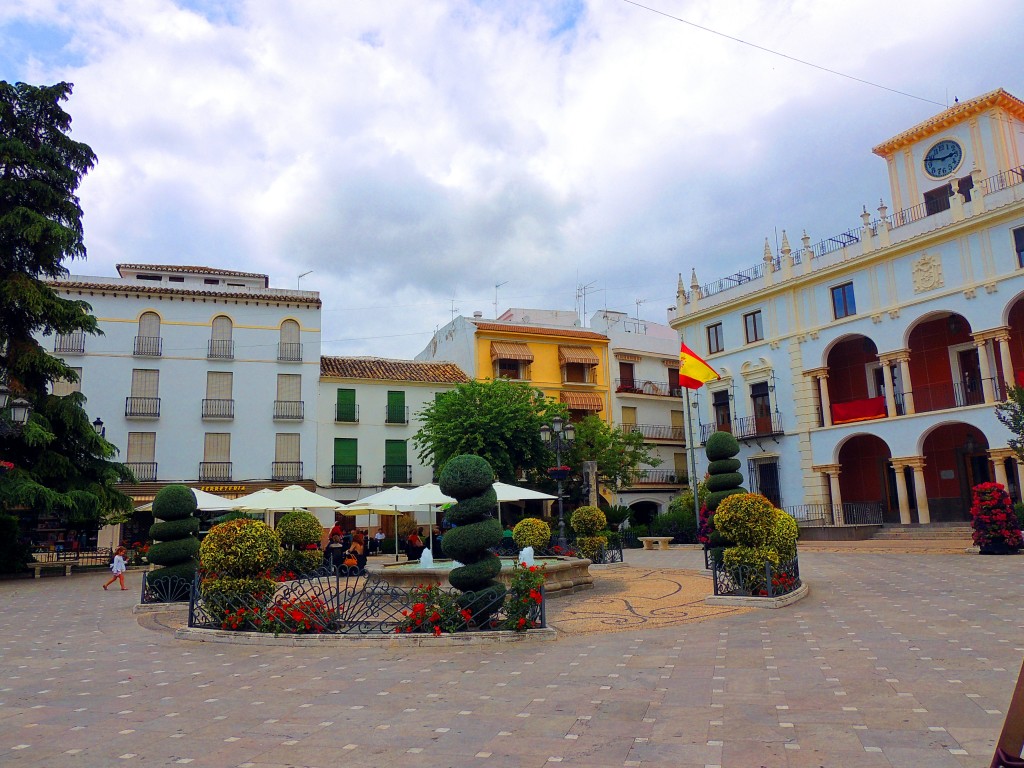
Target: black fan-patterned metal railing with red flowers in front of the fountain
[(331, 603)]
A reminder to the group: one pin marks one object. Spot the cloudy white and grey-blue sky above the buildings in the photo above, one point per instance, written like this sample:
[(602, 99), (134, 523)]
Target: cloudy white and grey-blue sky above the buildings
[(414, 154)]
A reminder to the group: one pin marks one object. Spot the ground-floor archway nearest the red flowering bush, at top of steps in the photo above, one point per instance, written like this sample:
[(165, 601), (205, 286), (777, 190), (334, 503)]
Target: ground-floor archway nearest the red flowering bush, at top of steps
[(956, 461)]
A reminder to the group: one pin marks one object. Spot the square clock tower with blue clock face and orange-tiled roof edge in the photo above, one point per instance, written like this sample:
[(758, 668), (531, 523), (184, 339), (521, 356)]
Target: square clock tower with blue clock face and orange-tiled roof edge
[(955, 150)]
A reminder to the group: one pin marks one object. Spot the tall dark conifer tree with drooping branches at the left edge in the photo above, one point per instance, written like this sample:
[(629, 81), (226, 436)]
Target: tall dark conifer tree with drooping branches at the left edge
[(62, 466)]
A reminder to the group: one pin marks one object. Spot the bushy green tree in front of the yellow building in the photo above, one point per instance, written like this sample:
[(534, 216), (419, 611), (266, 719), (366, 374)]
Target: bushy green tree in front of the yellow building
[(499, 421)]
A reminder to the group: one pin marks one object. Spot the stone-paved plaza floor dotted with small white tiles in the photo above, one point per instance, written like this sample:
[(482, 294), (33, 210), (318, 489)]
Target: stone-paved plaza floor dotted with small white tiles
[(894, 660)]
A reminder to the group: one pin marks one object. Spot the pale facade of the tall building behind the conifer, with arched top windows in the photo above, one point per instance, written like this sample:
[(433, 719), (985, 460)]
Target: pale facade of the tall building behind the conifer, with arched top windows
[(148, 377)]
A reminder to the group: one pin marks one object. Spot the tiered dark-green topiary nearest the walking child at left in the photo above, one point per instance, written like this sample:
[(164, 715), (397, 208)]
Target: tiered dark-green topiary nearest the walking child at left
[(177, 543)]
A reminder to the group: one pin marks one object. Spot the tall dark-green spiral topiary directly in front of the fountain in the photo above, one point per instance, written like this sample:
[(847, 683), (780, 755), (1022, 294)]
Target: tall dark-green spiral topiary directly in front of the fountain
[(468, 480)]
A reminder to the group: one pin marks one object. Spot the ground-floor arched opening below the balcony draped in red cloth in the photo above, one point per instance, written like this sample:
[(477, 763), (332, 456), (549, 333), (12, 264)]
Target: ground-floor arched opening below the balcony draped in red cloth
[(867, 480)]
